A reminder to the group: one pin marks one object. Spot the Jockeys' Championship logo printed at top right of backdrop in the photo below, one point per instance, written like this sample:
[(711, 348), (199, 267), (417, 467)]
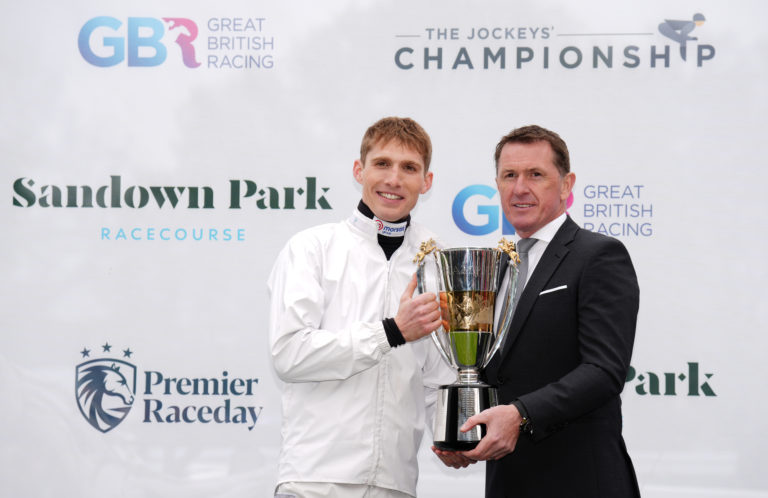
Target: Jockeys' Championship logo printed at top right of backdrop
[(545, 47)]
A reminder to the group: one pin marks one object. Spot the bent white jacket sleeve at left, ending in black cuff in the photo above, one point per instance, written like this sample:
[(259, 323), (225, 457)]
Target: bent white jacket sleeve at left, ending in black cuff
[(302, 351)]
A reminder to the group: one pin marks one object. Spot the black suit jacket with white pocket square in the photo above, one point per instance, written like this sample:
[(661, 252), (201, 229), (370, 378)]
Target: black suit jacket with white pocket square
[(566, 358)]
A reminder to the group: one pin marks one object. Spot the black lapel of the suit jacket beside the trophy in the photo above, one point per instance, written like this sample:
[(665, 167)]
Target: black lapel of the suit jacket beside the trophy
[(554, 255)]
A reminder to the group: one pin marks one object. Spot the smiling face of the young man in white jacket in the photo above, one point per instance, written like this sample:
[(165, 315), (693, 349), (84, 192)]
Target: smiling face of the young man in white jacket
[(392, 177)]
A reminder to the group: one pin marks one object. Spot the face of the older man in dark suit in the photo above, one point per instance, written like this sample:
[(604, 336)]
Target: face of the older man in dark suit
[(530, 186)]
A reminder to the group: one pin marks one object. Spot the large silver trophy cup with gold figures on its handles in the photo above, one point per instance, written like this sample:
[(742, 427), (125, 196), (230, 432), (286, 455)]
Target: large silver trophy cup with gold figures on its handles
[(476, 313)]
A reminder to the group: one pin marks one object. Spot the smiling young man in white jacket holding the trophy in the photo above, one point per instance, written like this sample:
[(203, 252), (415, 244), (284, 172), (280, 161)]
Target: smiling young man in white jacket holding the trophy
[(347, 334)]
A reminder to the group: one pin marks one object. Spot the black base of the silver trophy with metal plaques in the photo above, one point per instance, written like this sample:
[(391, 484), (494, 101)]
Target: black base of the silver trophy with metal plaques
[(455, 404)]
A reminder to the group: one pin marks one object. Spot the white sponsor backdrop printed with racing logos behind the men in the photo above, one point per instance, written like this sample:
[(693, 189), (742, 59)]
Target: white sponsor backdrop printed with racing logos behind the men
[(667, 153)]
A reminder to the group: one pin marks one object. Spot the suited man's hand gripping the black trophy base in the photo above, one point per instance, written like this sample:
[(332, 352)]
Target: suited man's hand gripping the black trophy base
[(502, 424)]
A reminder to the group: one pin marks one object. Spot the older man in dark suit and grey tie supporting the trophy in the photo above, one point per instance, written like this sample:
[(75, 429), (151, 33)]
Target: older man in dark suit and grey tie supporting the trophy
[(557, 430)]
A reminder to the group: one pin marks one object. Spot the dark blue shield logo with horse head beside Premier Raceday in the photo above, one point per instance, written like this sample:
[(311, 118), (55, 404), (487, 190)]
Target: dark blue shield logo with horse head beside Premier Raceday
[(105, 391)]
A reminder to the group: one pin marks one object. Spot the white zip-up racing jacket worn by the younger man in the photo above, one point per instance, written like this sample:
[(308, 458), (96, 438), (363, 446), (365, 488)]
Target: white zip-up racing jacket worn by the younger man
[(354, 409)]
